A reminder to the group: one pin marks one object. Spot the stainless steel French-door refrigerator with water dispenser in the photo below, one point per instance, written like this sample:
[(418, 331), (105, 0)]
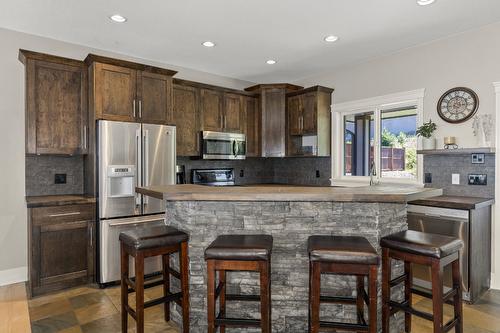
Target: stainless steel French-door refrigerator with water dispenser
[(130, 155)]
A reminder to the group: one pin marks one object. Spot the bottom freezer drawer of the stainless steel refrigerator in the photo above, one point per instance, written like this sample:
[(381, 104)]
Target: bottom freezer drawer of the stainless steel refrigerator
[(110, 245)]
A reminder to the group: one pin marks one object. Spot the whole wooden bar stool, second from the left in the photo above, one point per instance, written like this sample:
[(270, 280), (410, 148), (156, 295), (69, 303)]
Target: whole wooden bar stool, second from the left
[(238, 253)]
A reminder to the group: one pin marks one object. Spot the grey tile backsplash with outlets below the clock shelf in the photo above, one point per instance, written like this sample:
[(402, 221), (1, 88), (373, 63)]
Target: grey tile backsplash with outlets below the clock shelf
[(443, 166)]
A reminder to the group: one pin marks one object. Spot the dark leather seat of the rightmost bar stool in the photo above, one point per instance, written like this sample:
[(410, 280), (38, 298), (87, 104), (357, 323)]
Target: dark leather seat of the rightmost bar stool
[(425, 244)]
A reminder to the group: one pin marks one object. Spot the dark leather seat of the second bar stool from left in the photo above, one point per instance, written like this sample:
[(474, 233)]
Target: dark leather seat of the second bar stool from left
[(240, 247)]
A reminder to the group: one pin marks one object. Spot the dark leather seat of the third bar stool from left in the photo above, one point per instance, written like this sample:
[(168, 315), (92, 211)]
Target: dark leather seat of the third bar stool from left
[(342, 249)]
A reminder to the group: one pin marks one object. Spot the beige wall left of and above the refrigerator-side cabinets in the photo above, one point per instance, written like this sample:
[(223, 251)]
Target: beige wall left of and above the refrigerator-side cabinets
[(13, 237)]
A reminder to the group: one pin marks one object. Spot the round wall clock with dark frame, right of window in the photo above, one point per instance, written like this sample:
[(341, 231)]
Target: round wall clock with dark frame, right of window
[(457, 105)]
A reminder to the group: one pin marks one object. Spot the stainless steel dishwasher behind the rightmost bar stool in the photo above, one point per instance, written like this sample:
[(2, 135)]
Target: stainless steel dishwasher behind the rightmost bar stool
[(443, 221)]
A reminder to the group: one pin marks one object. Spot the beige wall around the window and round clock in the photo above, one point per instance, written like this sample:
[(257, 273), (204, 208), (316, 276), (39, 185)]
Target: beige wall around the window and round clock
[(471, 59)]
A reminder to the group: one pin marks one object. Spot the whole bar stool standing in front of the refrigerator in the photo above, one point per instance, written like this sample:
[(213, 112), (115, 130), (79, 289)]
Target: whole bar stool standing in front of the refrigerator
[(148, 242)]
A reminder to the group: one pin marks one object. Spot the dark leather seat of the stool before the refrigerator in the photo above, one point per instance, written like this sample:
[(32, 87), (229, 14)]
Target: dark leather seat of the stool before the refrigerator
[(157, 236)]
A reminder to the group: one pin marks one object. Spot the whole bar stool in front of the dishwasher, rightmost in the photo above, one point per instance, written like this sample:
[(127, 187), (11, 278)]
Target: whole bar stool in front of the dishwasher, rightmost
[(432, 250)]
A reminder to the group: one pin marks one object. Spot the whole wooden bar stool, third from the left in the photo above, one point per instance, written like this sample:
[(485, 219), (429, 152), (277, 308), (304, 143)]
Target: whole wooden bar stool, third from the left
[(343, 255)]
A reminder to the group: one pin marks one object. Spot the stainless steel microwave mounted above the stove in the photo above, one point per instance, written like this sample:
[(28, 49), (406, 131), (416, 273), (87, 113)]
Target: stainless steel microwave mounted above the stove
[(223, 146)]
